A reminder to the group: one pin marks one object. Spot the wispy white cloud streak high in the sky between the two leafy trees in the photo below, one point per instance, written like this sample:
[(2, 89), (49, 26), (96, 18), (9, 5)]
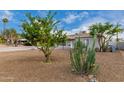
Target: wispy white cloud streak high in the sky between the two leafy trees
[(72, 17)]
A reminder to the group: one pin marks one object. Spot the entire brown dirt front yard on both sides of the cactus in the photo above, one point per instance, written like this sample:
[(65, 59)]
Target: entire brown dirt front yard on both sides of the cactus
[(29, 66)]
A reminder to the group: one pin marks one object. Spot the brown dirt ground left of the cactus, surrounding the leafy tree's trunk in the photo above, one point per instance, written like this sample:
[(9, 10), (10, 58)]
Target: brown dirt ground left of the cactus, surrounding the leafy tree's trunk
[(29, 66)]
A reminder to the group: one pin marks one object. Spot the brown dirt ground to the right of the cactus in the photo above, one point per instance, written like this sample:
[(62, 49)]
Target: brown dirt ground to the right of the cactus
[(111, 66)]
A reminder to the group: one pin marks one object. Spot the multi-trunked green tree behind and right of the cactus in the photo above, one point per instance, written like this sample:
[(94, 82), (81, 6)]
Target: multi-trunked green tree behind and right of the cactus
[(104, 33)]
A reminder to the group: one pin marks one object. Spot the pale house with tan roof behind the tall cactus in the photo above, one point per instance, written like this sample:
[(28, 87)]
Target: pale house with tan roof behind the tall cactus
[(84, 36)]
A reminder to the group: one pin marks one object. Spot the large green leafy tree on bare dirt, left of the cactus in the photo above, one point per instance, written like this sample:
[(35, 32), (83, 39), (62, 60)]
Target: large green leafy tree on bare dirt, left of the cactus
[(43, 33)]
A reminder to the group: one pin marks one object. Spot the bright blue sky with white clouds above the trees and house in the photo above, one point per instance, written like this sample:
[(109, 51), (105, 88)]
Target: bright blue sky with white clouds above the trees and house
[(72, 21)]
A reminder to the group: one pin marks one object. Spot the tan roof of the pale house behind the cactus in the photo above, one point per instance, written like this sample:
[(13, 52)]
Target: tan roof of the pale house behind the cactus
[(81, 34)]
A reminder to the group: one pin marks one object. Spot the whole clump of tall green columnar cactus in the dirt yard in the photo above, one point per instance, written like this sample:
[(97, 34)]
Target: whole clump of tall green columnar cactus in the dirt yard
[(83, 58)]
